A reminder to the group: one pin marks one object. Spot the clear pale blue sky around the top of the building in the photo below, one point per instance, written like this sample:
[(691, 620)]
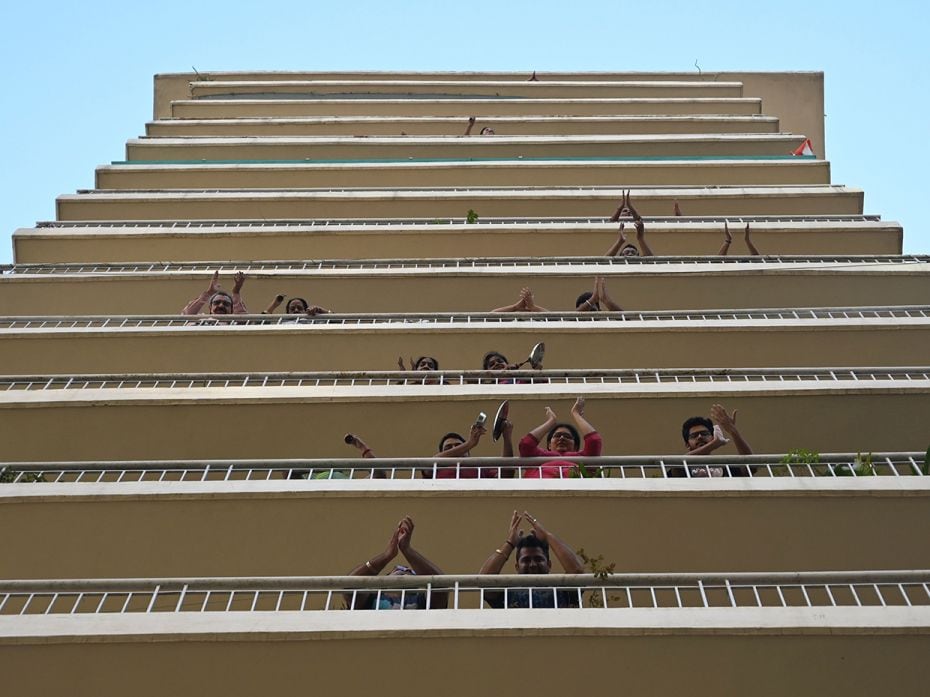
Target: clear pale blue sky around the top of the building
[(77, 78)]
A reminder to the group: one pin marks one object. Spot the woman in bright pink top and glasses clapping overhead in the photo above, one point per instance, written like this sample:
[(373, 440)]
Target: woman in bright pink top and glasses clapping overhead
[(562, 440)]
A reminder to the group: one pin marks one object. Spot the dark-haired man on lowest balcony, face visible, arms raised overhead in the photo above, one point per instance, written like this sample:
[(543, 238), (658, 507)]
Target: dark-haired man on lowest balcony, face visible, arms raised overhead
[(532, 550)]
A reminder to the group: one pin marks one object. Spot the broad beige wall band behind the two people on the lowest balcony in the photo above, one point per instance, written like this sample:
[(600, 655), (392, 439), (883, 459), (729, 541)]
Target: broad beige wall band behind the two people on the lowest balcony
[(310, 528)]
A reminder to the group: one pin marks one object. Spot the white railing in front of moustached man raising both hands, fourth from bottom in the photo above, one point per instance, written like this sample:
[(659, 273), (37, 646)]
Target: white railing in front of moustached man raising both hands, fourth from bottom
[(393, 318)]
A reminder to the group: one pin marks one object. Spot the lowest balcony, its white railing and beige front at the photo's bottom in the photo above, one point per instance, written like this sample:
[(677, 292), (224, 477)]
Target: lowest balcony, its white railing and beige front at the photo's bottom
[(820, 632)]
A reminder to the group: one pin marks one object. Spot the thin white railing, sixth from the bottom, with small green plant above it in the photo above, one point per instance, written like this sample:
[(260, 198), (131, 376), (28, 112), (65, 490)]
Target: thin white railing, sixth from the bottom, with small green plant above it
[(484, 221)]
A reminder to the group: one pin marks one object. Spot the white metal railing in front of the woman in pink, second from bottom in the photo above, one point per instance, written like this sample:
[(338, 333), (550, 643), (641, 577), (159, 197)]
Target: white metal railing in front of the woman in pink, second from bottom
[(790, 465)]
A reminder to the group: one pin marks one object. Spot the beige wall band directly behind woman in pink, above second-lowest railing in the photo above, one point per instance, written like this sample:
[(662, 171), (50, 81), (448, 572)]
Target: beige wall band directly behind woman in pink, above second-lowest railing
[(404, 421)]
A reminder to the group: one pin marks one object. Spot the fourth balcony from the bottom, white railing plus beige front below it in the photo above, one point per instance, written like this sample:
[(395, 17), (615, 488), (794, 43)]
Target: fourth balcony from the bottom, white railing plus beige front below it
[(890, 336)]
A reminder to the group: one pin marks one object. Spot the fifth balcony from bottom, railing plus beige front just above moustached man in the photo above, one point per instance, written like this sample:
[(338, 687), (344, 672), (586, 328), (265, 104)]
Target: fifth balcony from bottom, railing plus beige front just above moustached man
[(476, 285)]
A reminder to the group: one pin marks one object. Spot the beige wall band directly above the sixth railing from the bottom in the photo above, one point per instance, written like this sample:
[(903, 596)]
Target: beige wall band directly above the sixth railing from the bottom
[(388, 203)]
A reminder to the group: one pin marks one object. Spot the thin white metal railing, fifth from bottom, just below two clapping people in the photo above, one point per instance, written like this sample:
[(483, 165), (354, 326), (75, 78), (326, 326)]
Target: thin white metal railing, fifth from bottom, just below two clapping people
[(445, 264)]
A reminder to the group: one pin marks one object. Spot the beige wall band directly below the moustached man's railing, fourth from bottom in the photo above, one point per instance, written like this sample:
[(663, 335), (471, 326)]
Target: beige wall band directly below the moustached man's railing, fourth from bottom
[(673, 344)]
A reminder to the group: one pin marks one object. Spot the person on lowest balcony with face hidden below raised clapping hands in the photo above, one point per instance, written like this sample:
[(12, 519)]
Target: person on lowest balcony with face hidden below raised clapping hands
[(419, 565)]
